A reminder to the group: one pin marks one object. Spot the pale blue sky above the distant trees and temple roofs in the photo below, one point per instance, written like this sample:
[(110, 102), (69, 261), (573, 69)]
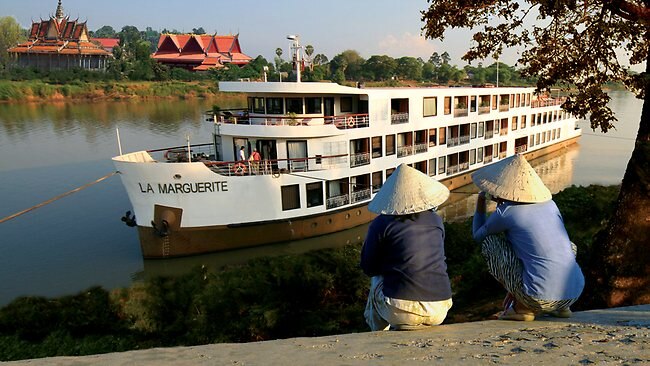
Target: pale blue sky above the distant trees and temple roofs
[(370, 27)]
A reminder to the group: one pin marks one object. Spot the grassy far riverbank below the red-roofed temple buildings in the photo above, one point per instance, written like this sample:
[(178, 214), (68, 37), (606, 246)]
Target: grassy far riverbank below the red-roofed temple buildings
[(39, 91)]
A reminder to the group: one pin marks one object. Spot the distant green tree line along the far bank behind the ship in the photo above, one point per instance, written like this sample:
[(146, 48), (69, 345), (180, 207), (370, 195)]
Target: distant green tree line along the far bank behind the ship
[(132, 61)]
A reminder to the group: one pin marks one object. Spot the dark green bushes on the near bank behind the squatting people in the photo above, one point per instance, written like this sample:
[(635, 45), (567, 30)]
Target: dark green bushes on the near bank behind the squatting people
[(318, 293)]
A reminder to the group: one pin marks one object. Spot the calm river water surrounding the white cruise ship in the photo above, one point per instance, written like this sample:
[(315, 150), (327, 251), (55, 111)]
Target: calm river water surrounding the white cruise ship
[(79, 241)]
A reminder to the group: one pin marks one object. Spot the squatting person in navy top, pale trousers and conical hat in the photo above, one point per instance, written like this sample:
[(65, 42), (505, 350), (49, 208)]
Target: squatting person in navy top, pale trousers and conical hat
[(404, 255)]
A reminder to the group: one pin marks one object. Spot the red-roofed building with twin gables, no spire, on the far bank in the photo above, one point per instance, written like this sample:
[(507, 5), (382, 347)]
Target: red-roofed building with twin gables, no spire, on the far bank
[(200, 52)]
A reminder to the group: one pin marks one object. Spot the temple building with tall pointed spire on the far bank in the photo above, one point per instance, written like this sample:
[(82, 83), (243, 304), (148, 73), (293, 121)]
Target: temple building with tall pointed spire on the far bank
[(60, 43)]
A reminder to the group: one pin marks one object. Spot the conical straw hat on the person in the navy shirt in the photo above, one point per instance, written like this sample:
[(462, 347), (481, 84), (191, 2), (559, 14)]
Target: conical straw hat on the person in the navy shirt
[(408, 191)]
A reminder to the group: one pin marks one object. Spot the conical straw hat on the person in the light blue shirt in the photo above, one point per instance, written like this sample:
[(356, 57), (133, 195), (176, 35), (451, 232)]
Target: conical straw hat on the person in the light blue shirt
[(512, 179)]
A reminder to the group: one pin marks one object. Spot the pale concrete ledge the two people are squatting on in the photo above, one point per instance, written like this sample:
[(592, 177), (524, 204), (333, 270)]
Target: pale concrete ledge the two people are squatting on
[(609, 336)]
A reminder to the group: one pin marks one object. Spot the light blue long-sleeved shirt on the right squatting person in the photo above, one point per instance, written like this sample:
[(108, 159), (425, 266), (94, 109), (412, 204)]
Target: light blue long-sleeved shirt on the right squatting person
[(539, 239)]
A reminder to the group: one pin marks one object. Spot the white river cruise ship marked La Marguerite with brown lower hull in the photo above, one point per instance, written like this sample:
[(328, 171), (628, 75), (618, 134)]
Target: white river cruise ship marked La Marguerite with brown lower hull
[(324, 152)]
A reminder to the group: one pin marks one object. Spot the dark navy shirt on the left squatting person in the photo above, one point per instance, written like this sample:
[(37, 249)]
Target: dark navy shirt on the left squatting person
[(410, 255)]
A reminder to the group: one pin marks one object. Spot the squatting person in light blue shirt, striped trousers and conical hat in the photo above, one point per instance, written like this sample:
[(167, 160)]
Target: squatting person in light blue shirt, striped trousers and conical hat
[(534, 259)]
